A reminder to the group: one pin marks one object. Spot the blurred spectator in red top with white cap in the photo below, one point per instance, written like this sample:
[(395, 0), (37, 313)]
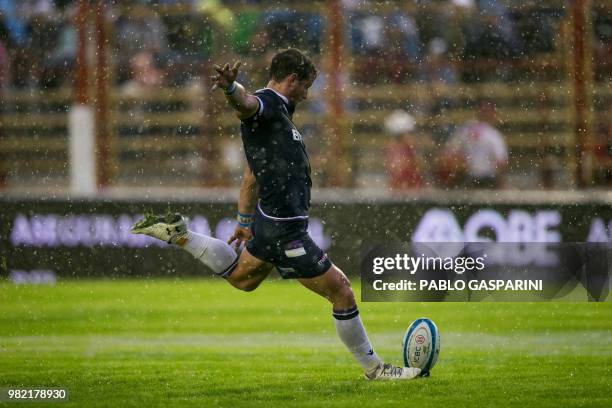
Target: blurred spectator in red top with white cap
[(402, 158)]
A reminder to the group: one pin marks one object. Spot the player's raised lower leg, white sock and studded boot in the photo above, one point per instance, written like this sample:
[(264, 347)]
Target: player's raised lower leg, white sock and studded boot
[(212, 252)]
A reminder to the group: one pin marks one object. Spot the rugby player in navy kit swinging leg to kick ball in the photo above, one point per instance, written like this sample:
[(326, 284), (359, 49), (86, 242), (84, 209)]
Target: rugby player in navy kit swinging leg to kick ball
[(273, 208)]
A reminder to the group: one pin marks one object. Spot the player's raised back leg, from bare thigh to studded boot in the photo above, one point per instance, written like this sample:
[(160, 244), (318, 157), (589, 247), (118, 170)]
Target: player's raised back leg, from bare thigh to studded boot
[(244, 272)]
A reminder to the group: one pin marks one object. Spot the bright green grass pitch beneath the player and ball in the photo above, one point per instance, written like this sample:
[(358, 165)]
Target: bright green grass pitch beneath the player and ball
[(201, 343)]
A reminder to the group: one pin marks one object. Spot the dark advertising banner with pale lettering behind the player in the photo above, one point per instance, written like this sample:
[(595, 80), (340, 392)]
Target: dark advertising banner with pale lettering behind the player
[(44, 239)]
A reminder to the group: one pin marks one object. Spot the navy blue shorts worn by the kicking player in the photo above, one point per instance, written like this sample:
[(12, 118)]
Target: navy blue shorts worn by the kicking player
[(287, 246)]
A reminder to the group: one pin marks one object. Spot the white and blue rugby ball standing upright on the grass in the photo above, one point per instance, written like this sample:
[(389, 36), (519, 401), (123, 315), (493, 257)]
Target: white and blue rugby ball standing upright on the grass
[(421, 345)]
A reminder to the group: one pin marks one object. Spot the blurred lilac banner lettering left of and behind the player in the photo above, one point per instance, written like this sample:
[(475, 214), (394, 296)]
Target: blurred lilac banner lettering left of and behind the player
[(54, 230)]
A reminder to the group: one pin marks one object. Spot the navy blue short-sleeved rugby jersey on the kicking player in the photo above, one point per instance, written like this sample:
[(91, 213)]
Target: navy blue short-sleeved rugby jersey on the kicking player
[(277, 156)]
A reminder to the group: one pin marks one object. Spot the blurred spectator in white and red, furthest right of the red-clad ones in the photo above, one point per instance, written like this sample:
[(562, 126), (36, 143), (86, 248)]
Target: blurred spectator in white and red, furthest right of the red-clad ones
[(476, 155)]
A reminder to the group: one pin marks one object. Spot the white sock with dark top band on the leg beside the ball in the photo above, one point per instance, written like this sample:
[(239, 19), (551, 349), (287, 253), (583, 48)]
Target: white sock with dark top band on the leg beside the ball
[(352, 333)]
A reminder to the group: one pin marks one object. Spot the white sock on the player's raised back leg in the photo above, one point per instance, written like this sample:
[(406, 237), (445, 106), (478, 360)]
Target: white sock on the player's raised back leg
[(212, 252)]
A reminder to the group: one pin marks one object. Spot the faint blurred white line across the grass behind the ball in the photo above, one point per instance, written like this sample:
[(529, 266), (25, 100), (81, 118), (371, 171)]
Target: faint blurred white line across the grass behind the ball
[(576, 342)]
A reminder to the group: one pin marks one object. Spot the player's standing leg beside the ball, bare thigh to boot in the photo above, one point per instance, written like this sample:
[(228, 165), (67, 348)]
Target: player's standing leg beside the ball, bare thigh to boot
[(335, 286)]
